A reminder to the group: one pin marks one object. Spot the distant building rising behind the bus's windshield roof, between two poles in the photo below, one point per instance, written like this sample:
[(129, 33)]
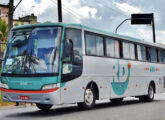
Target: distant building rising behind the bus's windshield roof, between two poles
[(29, 19)]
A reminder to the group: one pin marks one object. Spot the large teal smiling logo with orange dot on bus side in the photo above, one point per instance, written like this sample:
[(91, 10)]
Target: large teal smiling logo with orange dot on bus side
[(121, 77)]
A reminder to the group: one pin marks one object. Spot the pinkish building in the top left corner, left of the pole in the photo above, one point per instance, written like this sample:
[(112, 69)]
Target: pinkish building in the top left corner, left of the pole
[(4, 10)]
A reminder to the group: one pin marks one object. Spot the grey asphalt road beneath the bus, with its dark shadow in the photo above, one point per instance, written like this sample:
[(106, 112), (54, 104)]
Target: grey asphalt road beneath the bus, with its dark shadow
[(130, 109)]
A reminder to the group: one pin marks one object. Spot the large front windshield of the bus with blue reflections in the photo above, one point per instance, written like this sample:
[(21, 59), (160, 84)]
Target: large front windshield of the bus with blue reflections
[(32, 51)]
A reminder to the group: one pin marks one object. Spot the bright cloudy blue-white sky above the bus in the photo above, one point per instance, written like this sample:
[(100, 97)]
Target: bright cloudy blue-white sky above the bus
[(102, 14)]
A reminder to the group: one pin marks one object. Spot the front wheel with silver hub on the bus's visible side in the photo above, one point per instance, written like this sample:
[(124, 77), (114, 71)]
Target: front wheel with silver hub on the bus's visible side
[(89, 99)]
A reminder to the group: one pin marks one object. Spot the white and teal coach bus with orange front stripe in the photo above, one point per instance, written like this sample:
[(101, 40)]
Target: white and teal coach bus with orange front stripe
[(57, 63)]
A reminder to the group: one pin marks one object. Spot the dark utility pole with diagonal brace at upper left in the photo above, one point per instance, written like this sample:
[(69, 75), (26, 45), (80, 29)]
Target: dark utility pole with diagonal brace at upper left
[(11, 12)]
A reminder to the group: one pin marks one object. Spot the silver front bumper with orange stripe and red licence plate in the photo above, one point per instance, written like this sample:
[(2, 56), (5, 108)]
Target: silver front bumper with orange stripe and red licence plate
[(44, 96)]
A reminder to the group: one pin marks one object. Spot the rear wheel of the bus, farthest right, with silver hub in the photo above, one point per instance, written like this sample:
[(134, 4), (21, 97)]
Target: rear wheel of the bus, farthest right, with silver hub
[(150, 96)]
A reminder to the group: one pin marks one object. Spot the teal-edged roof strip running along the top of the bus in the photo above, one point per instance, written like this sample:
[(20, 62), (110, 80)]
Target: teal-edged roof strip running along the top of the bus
[(93, 30)]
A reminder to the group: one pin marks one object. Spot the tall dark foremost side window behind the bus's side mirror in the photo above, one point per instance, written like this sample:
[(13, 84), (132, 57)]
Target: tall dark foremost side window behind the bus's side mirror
[(74, 69)]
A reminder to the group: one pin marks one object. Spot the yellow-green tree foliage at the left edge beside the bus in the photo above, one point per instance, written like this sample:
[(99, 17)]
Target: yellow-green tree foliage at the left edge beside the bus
[(3, 32)]
